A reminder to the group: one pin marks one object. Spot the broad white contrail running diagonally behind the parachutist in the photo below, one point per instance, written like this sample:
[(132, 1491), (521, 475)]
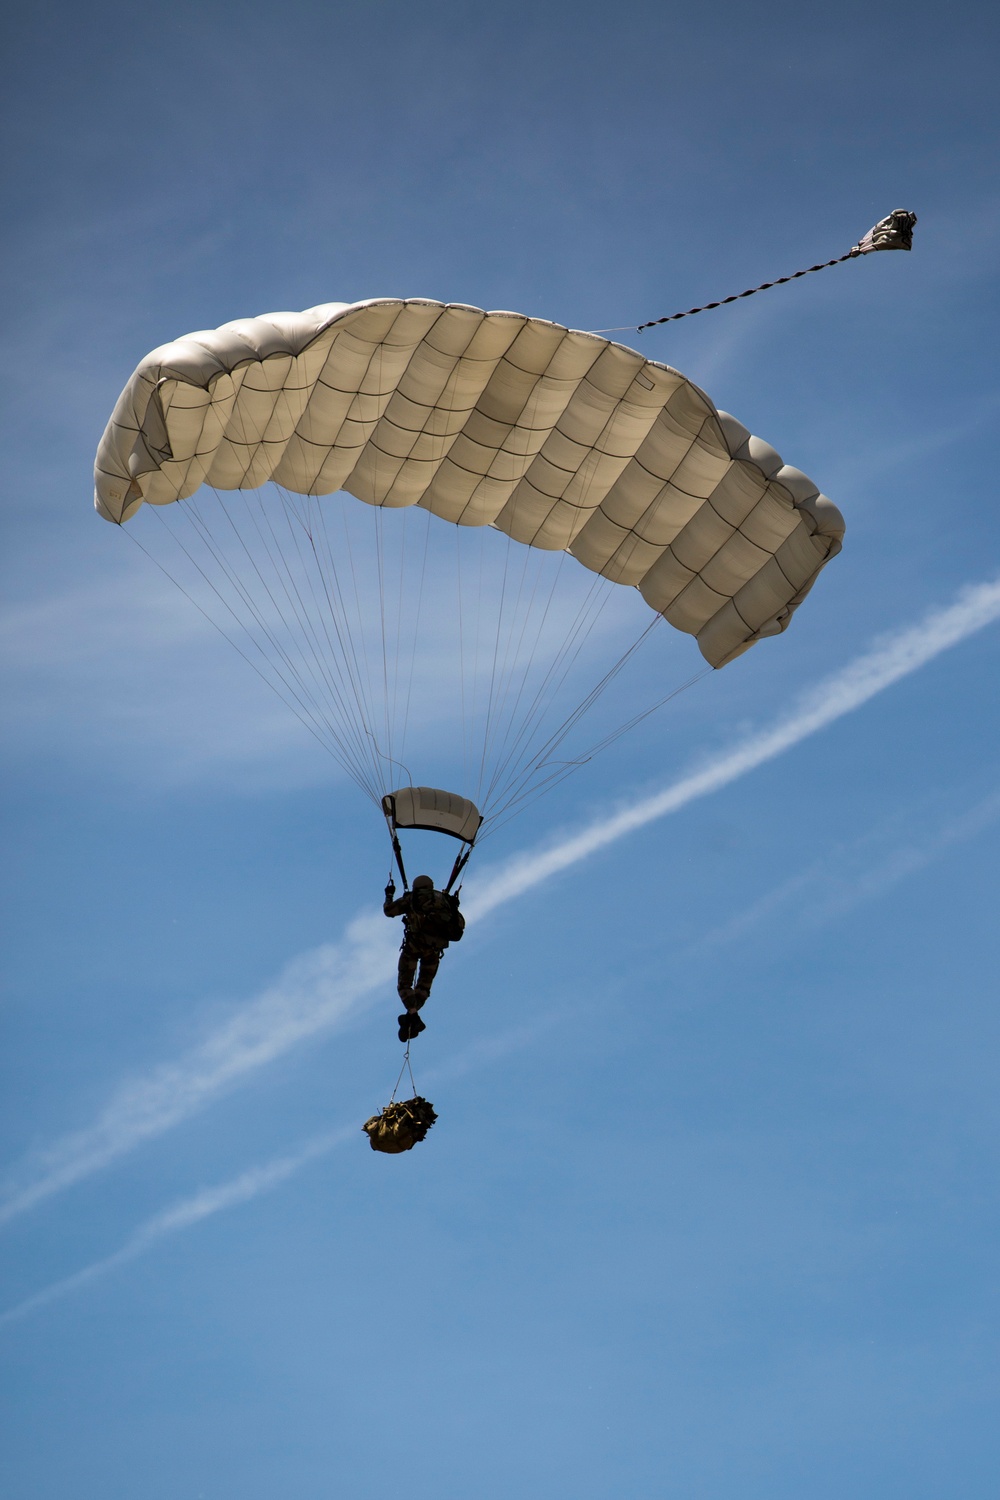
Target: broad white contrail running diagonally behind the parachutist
[(325, 988)]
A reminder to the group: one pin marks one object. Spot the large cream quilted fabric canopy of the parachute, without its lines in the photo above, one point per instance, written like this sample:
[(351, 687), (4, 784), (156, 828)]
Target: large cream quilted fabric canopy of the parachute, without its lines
[(563, 440)]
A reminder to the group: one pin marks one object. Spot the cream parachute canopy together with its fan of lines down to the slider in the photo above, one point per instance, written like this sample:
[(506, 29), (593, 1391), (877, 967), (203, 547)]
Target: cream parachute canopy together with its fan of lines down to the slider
[(472, 422)]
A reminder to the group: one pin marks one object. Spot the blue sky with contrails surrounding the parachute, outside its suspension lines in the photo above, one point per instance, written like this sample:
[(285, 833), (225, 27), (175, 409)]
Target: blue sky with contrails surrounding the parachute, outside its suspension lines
[(711, 1204)]
